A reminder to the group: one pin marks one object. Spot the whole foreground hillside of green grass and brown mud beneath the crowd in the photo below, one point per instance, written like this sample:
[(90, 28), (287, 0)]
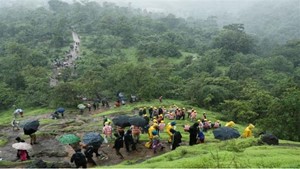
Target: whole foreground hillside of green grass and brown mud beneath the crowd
[(213, 153)]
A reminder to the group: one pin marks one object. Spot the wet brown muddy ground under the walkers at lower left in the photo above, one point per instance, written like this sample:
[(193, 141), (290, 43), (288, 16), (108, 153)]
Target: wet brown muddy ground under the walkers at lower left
[(50, 150)]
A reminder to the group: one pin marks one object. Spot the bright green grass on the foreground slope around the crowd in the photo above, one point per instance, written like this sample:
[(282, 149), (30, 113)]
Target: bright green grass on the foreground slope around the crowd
[(236, 153)]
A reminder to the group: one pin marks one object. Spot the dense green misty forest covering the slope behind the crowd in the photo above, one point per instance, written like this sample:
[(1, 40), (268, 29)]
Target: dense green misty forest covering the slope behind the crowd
[(247, 78)]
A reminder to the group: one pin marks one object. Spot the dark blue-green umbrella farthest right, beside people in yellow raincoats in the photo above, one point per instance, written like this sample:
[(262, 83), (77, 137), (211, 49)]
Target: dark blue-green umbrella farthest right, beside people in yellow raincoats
[(225, 133)]
